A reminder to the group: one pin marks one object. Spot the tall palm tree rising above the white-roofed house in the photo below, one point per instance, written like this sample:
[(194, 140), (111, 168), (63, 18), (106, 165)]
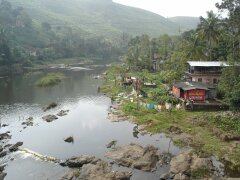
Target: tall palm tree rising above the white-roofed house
[(209, 30)]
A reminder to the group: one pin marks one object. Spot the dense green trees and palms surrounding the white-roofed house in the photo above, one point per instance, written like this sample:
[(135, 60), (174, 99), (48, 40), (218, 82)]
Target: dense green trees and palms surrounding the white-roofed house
[(215, 39)]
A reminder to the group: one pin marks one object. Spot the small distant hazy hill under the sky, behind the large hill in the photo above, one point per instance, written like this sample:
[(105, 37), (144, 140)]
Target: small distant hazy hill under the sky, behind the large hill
[(185, 22)]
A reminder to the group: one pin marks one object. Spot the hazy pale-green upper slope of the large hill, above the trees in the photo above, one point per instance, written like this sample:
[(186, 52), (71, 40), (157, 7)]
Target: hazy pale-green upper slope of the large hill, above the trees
[(99, 17)]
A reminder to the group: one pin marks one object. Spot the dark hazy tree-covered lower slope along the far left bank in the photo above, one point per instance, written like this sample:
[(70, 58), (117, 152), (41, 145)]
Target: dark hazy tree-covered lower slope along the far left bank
[(25, 41)]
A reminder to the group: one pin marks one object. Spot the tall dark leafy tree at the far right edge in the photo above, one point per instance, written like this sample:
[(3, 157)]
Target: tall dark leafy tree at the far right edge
[(230, 79)]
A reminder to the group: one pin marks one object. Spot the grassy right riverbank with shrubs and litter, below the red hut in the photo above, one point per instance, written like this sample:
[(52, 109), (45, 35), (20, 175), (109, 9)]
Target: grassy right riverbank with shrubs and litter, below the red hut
[(207, 132)]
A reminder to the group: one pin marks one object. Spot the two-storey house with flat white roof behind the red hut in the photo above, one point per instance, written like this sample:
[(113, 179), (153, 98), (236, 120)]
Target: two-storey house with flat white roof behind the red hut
[(207, 72)]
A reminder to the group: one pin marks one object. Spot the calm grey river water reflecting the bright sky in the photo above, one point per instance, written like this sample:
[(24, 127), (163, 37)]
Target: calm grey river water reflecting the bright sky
[(86, 121)]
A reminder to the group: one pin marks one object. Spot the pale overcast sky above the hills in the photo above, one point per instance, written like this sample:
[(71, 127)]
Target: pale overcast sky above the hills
[(170, 8)]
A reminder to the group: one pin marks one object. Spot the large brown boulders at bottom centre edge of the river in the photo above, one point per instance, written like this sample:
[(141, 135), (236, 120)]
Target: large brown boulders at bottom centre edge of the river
[(132, 155)]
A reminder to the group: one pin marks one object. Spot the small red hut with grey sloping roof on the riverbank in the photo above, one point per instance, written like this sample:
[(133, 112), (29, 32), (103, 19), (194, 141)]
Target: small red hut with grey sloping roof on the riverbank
[(195, 91)]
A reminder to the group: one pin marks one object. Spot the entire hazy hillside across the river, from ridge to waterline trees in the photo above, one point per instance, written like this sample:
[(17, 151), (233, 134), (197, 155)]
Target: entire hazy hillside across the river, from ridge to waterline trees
[(38, 31)]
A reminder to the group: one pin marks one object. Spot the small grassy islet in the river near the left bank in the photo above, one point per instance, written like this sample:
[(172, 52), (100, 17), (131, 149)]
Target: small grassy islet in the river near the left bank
[(50, 80)]
